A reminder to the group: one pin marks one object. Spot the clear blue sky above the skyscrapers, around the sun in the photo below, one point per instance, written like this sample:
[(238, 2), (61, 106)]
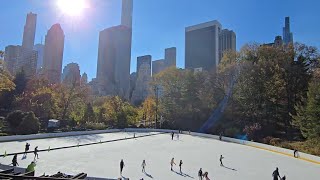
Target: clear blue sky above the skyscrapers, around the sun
[(158, 24)]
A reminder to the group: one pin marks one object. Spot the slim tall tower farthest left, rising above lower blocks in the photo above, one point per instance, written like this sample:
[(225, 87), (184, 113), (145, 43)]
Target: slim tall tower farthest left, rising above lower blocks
[(29, 31)]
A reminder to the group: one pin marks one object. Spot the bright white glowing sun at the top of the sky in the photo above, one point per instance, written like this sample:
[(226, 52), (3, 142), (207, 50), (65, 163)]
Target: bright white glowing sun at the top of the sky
[(72, 7)]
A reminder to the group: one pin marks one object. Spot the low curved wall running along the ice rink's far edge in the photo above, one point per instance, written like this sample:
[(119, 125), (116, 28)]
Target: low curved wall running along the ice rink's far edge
[(274, 149)]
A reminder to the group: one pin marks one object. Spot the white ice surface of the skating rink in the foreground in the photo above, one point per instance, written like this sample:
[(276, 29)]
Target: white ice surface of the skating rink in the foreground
[(102, 160)]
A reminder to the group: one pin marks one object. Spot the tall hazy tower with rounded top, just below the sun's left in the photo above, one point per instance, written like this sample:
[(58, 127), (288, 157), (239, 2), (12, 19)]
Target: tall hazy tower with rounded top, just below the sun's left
[(53, 54)]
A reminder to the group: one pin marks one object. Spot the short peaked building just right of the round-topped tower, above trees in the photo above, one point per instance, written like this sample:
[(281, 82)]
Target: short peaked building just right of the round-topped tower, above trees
[(71, 74)]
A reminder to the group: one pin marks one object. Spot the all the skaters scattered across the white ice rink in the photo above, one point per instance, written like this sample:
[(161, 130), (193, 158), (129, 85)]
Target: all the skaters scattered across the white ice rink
[(202, 175)]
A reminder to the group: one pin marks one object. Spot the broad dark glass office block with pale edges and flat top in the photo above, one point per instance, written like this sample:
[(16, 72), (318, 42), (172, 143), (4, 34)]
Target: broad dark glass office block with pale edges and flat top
[(202, 46)]
